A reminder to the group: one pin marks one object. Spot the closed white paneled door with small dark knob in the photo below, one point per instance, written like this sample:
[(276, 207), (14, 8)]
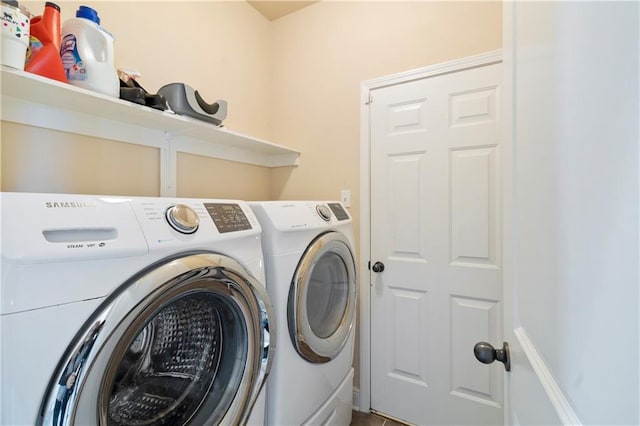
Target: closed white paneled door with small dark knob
[(436, 230)]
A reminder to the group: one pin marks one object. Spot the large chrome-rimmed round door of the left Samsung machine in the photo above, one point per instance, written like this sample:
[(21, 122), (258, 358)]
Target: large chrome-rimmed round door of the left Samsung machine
[(187, 342)]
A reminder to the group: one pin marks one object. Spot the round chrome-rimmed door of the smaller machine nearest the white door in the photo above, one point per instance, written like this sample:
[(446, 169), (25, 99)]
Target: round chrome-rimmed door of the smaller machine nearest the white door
[(322, 298)]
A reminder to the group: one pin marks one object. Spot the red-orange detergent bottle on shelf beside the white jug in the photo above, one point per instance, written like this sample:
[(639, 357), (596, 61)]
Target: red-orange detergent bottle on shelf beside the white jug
[(43, 56)]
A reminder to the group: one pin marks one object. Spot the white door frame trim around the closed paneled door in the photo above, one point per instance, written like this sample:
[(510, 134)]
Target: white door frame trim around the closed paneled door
[(362, 396)]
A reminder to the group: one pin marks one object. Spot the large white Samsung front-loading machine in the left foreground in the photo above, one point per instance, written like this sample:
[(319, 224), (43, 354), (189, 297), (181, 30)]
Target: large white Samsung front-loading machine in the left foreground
[(132, 311)]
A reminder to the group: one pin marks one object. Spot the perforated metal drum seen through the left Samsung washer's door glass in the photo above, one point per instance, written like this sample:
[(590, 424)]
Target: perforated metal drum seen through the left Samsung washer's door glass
[(184, 357)]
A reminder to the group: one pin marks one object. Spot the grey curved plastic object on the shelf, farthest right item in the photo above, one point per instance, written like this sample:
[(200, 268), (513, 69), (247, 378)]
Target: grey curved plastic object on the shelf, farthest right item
[(186, 101)]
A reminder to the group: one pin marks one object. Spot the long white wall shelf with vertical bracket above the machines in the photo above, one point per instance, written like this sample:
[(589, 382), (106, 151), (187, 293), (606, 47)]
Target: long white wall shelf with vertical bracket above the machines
[(37, 101)]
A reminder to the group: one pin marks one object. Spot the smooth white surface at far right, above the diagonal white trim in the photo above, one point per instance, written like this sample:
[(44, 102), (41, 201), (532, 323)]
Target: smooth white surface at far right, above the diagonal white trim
[(577, 202)]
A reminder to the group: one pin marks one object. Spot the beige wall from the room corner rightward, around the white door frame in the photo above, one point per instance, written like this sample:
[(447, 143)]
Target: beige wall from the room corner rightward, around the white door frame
[(323, 53)]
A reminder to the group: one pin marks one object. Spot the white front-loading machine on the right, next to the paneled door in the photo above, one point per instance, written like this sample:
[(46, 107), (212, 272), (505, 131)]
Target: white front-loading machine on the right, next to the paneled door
[(311, 278)]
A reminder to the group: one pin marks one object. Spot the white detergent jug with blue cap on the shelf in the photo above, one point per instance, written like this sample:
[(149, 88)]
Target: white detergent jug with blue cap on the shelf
[(87, 53)]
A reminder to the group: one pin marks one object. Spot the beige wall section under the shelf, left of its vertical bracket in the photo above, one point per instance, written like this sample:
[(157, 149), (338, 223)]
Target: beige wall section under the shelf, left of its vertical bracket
[(39, 160)]
